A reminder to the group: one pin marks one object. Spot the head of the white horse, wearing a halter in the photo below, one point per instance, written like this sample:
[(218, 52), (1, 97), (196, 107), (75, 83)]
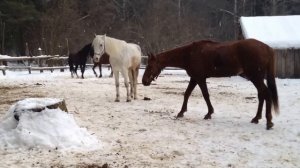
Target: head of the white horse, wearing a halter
[(99, 47)]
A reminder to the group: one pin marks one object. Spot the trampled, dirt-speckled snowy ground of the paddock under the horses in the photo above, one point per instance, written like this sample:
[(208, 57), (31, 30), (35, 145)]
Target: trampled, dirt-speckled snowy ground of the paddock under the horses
[(144, 133)]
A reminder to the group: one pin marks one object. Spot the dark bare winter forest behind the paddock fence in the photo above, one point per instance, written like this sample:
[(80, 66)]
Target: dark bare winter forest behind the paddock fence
[(63, 26)]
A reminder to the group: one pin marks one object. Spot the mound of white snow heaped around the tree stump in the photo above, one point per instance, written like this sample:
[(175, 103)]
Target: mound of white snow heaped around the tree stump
[(50, 128)]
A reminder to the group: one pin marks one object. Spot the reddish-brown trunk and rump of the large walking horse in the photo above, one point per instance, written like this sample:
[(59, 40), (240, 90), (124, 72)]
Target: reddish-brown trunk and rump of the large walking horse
[(231, 58)]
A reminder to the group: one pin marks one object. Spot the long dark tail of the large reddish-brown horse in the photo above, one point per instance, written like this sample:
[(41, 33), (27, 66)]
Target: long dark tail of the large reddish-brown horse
[(272, 83)]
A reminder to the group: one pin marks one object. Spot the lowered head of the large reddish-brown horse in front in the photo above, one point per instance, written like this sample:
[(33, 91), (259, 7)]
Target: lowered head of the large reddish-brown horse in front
[(152, 70)]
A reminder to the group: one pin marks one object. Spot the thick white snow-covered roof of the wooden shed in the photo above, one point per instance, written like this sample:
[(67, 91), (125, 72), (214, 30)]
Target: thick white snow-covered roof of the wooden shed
[(277, 31)]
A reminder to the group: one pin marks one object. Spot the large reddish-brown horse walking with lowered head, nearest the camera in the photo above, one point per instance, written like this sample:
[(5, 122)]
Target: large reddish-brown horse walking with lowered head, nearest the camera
[(250, 58)]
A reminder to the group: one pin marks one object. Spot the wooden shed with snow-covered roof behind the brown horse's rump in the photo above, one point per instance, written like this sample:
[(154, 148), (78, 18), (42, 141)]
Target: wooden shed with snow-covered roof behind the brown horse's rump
[(282, 33)]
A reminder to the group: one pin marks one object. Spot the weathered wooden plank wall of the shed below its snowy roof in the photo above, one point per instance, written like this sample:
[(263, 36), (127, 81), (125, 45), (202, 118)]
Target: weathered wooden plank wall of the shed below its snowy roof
[(288, 63)]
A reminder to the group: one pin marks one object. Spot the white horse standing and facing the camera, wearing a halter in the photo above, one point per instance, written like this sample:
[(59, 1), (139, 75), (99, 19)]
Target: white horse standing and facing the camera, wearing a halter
[(124, 57)]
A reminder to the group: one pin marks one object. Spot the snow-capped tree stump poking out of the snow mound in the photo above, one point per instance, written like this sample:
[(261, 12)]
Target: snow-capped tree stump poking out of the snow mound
[(38, 105)]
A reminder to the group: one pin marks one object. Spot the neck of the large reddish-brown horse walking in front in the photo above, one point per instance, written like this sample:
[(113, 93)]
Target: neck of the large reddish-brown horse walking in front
[(174, 58)]
